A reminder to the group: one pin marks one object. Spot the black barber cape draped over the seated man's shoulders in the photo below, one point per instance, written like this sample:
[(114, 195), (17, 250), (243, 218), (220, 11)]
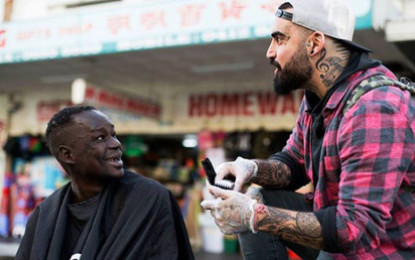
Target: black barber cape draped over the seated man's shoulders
[(136, 218)]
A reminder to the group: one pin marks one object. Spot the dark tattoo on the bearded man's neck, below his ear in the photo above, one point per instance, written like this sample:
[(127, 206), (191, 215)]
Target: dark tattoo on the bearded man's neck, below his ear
[(330, 68)]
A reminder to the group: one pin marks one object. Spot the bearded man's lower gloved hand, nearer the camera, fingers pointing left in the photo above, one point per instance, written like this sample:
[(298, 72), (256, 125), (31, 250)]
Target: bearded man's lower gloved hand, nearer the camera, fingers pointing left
[(233, 211)]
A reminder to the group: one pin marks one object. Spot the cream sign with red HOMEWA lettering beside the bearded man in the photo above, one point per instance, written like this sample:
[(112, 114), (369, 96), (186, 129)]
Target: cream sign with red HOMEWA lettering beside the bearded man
[(231, 111)]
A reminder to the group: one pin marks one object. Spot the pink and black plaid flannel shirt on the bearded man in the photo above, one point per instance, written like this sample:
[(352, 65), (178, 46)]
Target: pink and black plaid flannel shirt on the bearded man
[(367, 157)]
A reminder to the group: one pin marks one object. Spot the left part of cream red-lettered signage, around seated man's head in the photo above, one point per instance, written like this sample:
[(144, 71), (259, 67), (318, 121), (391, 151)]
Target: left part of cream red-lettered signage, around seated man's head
[(36, 111)]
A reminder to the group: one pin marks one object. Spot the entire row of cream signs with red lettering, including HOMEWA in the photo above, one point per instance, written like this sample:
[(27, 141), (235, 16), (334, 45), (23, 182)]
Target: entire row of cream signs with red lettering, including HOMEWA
[(177, 112)]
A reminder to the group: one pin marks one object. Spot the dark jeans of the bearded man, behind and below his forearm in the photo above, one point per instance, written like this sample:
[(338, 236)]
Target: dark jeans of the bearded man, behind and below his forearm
[(266, 246)]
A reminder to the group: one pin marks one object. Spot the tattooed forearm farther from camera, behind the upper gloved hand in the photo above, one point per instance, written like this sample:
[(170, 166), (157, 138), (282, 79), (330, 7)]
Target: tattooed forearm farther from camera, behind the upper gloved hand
[(272, 174)]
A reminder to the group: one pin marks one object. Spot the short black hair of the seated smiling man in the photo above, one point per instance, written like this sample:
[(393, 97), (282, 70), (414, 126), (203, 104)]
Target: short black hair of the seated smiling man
[(64, 118)]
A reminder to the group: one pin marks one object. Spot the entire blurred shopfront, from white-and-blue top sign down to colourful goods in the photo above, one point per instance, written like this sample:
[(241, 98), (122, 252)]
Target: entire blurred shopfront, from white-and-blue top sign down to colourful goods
[(164, 72)]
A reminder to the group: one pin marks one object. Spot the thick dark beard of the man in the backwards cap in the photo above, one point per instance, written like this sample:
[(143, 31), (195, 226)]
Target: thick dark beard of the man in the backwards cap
[(295, 74)]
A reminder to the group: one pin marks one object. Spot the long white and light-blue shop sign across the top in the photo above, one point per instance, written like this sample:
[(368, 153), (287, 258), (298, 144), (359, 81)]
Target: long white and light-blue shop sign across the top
[(141, 26)]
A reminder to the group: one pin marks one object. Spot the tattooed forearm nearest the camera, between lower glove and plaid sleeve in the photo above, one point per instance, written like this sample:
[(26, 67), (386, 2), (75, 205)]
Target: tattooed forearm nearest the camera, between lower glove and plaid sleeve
[(298, 227)]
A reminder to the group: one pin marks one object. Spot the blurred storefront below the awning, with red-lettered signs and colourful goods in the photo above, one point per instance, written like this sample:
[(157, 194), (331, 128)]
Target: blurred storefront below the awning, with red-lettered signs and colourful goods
[(222, 123)]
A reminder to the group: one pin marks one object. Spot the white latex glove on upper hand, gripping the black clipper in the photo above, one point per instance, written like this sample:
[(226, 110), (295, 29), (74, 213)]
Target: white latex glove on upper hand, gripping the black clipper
[(243, 170)]
